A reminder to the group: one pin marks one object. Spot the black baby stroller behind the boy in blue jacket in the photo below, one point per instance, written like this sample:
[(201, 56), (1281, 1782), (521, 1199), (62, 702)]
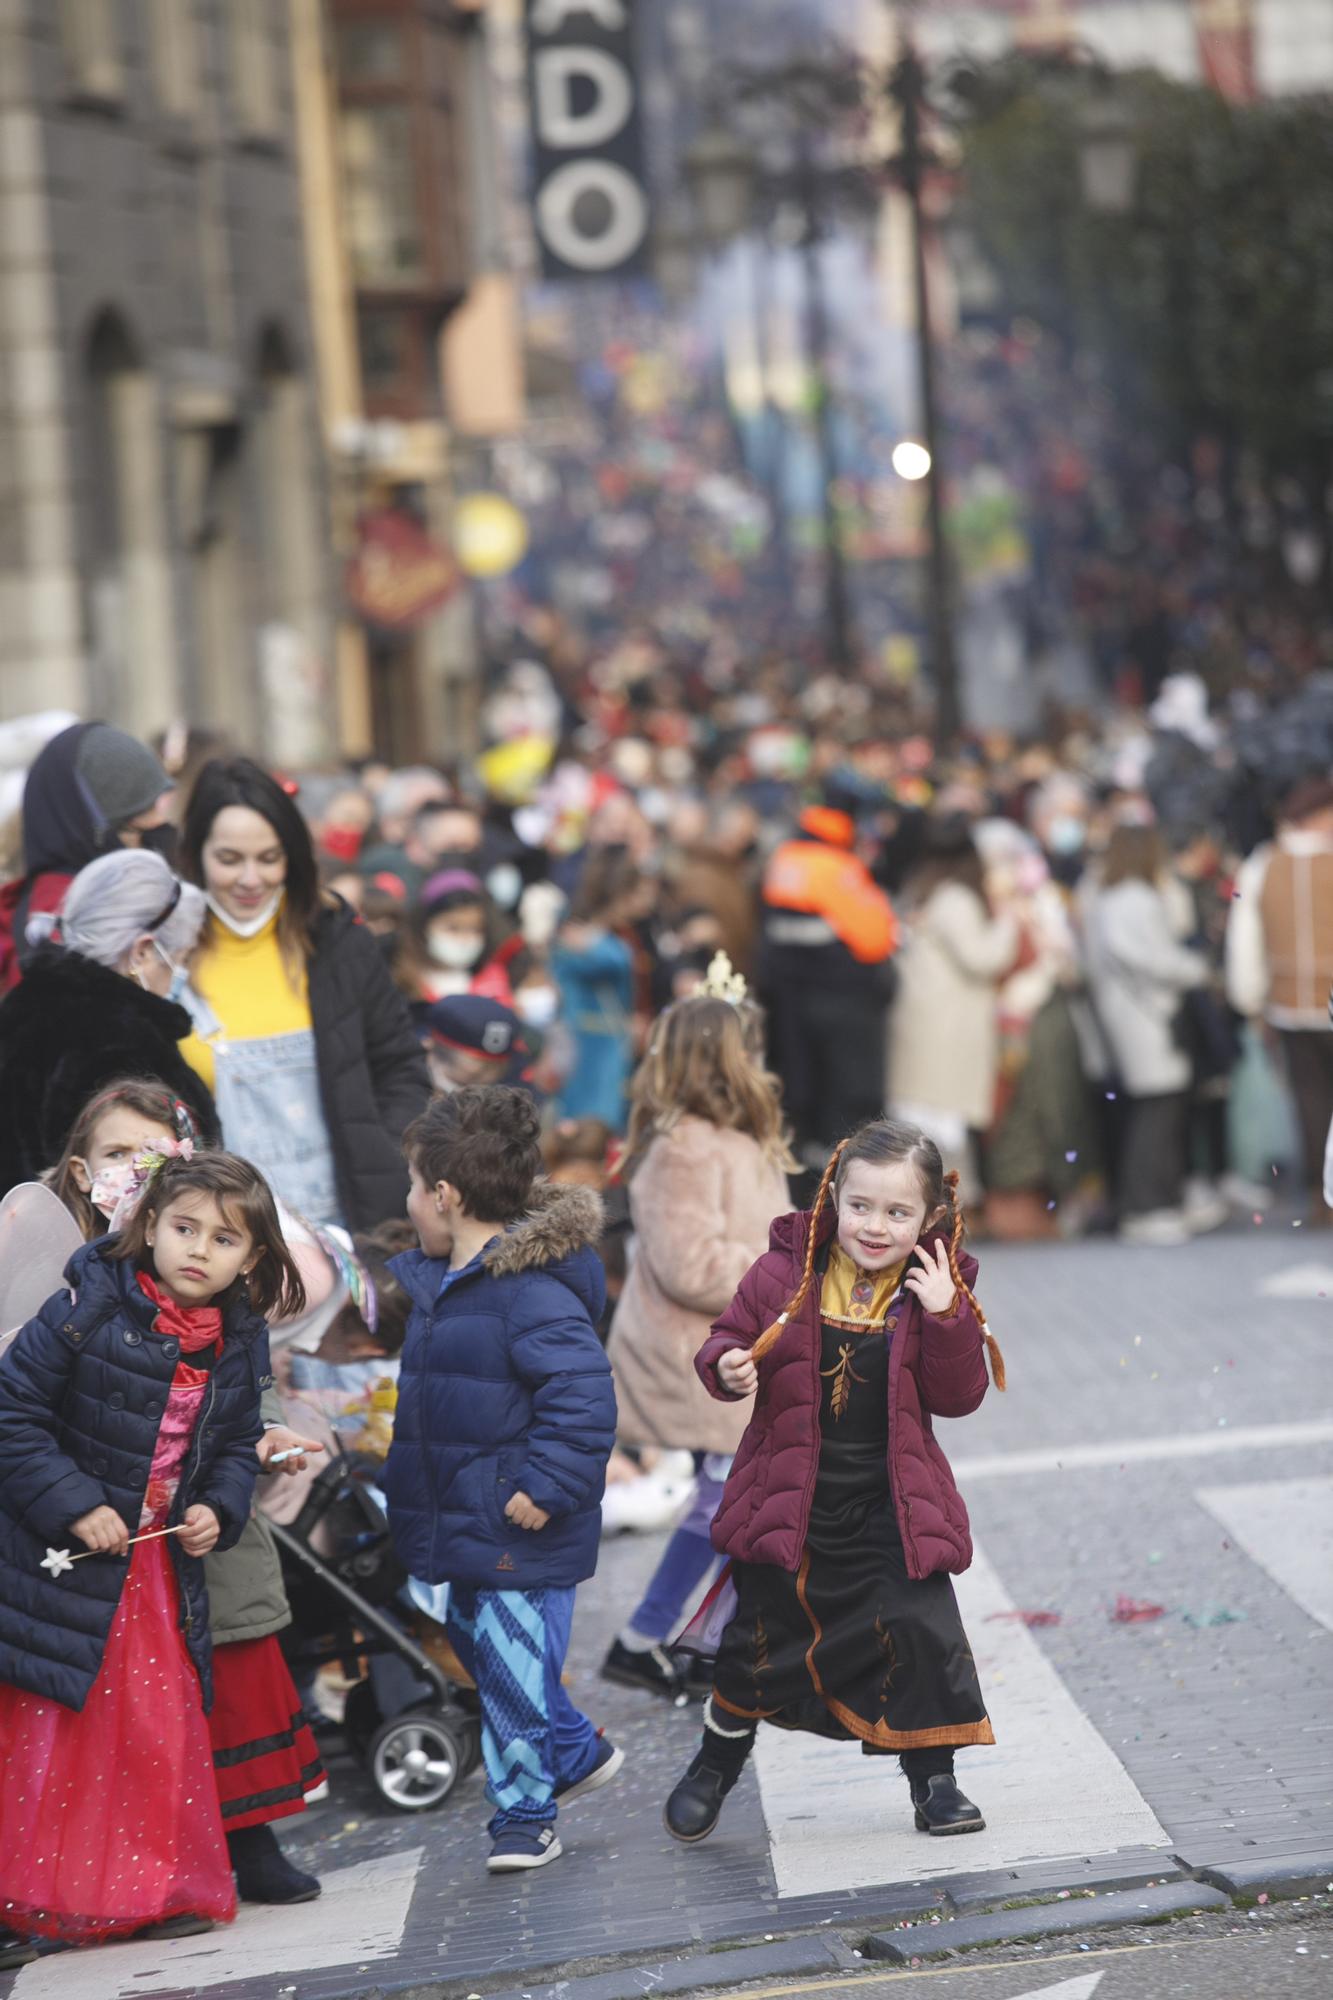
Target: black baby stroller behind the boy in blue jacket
[(415, 1731)]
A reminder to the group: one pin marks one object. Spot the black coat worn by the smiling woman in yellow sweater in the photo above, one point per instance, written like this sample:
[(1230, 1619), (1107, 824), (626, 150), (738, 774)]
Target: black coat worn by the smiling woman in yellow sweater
[(373, 1069)]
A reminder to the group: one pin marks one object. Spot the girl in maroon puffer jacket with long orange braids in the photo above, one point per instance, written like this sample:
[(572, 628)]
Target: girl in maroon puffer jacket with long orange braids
[(842, 1517)]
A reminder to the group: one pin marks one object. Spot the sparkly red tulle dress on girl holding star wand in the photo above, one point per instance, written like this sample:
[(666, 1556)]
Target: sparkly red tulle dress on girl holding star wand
[(109, 1817)]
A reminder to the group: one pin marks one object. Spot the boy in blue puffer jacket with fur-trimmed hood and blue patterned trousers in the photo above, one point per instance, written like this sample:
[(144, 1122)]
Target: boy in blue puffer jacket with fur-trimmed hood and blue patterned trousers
[(501, 1441)]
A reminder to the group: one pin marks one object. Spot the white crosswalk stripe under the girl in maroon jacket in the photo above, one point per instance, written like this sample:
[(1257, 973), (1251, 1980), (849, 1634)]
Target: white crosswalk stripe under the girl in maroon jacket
[(1052, 1787)]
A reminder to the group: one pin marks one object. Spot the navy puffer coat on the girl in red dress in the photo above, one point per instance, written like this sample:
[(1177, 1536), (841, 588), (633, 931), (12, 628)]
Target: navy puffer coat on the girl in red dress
[(83, 1391)]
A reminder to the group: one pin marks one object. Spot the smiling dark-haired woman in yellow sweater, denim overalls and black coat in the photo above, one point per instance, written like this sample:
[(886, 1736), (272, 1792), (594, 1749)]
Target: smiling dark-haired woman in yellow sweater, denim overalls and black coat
[(301, 1033)]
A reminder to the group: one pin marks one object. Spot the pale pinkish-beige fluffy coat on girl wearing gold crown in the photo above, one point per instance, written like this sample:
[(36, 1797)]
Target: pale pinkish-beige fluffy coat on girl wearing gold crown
[(702, 1205)]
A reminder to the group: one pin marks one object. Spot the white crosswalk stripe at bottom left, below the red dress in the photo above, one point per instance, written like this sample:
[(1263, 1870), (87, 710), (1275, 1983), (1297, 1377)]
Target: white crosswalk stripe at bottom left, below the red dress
[(357, 1921)]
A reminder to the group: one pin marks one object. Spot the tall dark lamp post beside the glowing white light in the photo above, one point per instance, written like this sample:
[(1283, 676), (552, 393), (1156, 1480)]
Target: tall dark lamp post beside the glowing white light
[(908, 93)]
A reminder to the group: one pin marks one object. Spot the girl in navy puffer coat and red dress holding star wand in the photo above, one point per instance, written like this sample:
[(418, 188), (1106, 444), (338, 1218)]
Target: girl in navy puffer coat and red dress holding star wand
[(129, 1415)]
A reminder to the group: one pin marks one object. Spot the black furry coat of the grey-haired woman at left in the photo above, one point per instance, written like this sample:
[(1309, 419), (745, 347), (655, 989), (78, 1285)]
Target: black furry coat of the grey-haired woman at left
[(69, 1031)]
